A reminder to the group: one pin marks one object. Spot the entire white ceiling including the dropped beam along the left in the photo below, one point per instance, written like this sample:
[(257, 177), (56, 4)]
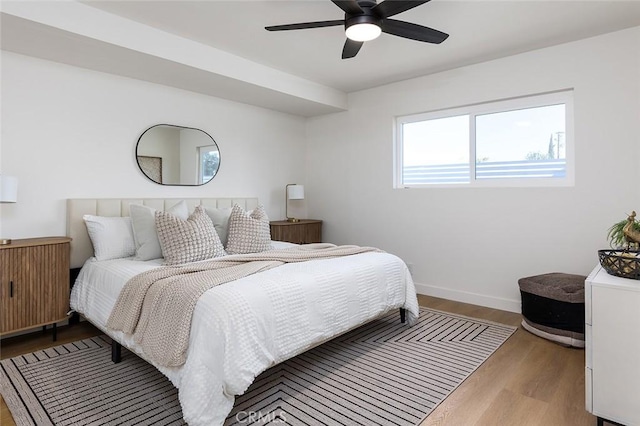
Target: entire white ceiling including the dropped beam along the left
[(220, 48)]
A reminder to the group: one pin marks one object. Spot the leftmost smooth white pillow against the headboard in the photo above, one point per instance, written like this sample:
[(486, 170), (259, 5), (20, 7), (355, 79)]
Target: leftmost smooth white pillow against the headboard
[(112, 237)]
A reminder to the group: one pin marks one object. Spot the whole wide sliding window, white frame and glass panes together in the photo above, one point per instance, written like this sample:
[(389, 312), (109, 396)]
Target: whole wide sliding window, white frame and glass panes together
[(518, 142)]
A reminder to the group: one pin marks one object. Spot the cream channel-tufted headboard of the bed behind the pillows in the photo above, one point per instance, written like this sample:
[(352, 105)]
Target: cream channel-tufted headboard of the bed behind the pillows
[(81, 248)]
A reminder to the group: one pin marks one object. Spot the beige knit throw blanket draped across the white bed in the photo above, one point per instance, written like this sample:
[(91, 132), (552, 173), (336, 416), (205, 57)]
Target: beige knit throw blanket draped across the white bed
[(156, 306)]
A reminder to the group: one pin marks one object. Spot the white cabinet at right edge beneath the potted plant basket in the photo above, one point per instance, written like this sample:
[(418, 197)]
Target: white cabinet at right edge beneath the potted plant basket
[(612, 333)]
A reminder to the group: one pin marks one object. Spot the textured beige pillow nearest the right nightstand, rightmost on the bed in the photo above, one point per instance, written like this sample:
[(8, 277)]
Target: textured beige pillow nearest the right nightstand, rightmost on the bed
[(248, 232)]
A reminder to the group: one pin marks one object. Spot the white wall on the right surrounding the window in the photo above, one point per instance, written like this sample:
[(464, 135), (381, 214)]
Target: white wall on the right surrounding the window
[(473, 244)]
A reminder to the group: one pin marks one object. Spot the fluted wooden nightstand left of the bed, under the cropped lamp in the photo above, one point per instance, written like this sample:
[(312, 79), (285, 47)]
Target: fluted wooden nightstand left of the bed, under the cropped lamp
[(34, 283)]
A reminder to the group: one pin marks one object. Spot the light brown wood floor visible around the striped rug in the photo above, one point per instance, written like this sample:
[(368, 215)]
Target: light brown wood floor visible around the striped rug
[(528, 381)]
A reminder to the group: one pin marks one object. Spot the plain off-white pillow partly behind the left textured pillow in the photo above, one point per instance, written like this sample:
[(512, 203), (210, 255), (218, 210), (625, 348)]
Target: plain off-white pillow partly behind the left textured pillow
[(145, 235)]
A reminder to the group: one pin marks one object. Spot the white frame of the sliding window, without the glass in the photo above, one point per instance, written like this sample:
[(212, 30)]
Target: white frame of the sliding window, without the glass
[(540, 100)]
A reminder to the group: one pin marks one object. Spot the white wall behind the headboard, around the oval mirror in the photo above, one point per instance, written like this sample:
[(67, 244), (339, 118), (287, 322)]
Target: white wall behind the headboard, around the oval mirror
[(71, 133)]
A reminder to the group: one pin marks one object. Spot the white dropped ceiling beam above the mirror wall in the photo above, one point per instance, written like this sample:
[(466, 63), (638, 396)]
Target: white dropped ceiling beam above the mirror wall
[(79, 35)]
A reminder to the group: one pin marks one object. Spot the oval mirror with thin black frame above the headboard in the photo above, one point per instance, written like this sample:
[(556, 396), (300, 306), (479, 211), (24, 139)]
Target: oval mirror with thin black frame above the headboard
[(176, 155)]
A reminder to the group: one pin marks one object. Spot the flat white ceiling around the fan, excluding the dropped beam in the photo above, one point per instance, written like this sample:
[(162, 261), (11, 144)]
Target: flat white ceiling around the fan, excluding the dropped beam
[(479, 31)]
